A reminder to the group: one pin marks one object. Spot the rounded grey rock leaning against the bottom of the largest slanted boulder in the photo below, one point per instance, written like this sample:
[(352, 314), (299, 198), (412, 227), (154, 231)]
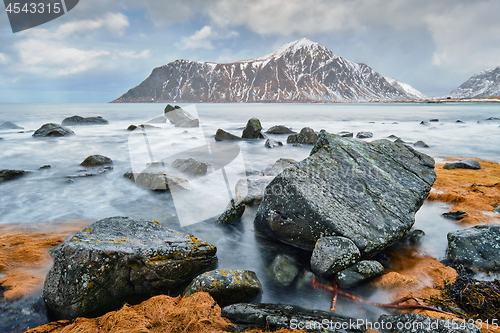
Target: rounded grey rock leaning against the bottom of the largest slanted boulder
[(333, 254)]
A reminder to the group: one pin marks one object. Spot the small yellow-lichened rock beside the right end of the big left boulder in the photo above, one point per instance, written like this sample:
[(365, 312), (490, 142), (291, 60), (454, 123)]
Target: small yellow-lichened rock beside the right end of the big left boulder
[(227, 286)]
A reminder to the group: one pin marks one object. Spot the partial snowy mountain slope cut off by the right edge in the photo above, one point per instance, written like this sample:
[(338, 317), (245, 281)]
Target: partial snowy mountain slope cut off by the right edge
[(482, 84)]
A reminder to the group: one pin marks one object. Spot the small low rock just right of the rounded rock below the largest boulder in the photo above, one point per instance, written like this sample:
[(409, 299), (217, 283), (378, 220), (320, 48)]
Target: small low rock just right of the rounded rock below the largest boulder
[(359, 273)]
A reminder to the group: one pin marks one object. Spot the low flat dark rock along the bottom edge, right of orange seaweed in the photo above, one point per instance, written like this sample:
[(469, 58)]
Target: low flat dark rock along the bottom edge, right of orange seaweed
[(276, 316)]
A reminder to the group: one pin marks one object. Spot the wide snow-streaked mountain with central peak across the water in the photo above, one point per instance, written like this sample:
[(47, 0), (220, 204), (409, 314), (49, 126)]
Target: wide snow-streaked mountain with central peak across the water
[(301, 71)]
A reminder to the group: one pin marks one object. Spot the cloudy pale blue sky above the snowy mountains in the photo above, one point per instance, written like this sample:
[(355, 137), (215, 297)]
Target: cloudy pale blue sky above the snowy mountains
[(101, 48)]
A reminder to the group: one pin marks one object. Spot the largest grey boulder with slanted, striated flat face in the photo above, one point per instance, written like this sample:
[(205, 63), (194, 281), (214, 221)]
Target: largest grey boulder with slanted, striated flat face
[(367, 192)]
